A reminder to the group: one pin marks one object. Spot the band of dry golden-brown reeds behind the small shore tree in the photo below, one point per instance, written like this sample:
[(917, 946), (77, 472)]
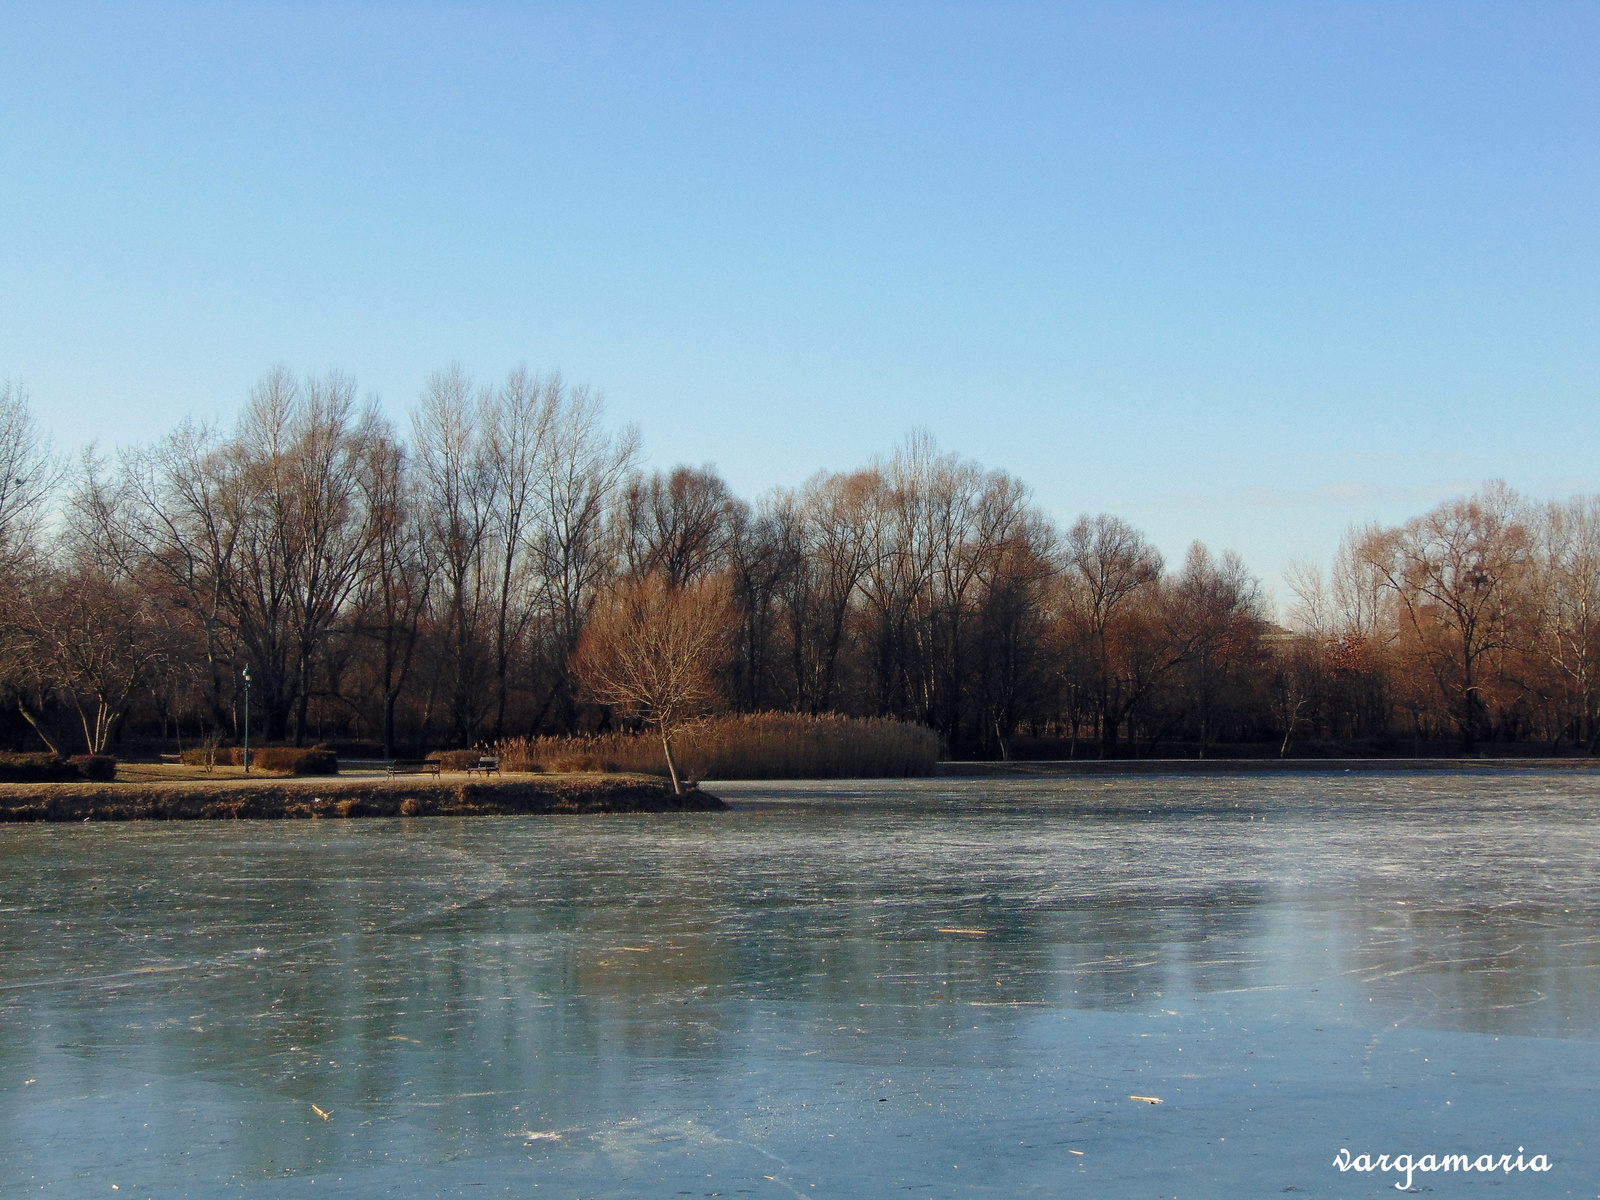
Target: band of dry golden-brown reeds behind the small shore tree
[(761, 746)]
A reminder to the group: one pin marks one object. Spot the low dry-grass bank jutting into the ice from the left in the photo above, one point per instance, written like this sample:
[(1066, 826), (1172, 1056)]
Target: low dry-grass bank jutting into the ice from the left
[(270, 801)]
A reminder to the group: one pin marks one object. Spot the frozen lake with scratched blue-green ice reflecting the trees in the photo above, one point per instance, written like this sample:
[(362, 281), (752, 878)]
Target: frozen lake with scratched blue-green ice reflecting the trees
[(929, 990)]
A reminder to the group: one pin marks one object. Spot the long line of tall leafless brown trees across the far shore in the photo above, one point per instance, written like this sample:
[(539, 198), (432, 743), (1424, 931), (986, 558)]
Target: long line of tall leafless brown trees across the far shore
[(433, 590)]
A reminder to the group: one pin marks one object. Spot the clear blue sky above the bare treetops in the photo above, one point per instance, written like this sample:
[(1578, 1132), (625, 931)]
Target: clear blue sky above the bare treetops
[(1238, 273)]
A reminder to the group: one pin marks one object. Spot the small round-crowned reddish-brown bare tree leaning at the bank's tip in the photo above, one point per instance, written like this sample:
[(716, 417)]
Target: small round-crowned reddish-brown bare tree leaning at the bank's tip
[(654, 652)]
